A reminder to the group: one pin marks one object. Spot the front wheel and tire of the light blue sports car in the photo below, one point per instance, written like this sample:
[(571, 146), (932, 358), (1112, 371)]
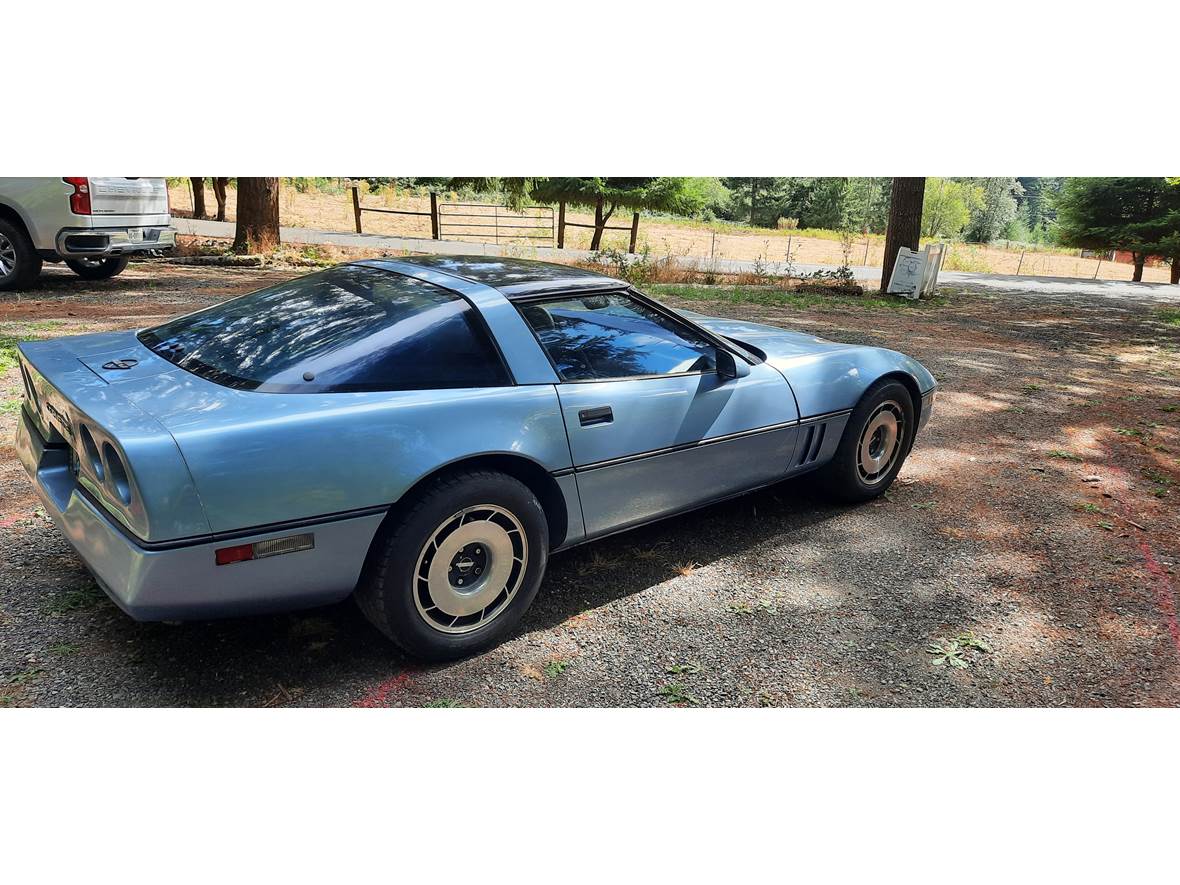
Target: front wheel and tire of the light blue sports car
[(844, 477)]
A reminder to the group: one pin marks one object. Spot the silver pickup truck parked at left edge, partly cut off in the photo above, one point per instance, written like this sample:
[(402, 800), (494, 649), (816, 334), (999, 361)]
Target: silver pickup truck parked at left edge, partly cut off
[(93, 225)]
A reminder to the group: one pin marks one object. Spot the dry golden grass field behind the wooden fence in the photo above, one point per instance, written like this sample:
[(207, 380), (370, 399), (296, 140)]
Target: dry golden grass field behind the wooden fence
[(330, 212)]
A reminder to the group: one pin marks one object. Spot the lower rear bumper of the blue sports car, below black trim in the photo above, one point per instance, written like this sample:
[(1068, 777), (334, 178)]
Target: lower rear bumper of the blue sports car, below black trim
[(182, 581)]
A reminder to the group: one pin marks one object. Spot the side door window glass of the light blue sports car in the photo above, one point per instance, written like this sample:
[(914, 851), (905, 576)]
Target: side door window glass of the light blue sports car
[(613, 336)]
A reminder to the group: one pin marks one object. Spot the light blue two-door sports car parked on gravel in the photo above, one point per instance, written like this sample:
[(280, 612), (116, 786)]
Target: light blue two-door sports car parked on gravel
[(425, 434)]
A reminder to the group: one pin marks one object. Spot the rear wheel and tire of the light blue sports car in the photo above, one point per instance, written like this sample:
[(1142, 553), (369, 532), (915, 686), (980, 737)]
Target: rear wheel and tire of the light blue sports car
[(397, 594)]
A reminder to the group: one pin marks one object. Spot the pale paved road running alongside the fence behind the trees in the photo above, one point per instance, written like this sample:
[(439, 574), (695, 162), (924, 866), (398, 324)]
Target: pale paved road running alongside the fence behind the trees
[(1161, 293)]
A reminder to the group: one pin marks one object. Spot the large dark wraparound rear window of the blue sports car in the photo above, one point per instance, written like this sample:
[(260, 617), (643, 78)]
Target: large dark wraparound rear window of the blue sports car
[(345, 330)]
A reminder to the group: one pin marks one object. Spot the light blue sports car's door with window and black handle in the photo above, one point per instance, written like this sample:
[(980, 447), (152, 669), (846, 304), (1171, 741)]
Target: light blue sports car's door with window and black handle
[(653, 428)]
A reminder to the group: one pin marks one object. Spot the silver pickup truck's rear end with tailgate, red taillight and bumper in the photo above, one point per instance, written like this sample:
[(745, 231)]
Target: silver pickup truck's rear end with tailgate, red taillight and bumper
[(112, 217)]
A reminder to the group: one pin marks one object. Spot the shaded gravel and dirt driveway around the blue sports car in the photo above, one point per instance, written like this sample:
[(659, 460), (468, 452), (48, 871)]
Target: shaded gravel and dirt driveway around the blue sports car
[(1037, 519)]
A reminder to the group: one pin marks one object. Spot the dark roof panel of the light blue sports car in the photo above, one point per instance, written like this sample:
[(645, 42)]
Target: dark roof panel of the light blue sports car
[(515, 278)]
